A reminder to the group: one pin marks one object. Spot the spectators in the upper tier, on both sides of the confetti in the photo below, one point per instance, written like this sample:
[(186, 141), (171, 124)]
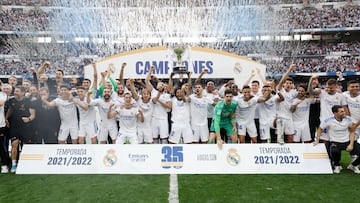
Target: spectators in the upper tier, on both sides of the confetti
[(295, 18)]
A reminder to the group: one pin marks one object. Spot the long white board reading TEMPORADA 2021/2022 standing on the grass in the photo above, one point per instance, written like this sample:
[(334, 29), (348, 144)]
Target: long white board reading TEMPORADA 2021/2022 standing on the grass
[(174, 159)]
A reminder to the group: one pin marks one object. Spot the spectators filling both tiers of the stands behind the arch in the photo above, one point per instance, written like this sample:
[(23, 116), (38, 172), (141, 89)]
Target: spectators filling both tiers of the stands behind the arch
[(309, 56)]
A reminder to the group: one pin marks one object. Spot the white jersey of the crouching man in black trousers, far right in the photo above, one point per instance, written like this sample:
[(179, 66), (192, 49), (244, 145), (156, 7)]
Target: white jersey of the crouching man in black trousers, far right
[(337, 130)]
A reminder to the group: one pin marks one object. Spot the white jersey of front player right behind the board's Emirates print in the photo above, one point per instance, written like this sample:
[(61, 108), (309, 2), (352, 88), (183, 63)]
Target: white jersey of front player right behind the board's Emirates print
[(127, 120)]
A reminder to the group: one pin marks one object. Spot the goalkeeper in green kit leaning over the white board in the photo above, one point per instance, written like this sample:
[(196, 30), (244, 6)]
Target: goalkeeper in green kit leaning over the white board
[(224, 117)]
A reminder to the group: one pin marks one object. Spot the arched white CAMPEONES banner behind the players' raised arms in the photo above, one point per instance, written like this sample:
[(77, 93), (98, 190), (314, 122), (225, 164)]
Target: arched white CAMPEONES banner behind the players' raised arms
[(220, 64)]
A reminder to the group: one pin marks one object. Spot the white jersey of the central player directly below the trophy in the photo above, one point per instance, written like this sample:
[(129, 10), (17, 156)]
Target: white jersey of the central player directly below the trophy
[(180, 111)]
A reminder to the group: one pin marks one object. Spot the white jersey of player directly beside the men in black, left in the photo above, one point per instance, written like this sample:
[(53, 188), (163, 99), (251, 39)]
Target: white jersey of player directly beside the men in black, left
[(67, 111)]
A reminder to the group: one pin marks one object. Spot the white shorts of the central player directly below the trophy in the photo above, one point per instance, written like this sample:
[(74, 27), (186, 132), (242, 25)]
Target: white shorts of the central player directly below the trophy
[(182, 130)]
